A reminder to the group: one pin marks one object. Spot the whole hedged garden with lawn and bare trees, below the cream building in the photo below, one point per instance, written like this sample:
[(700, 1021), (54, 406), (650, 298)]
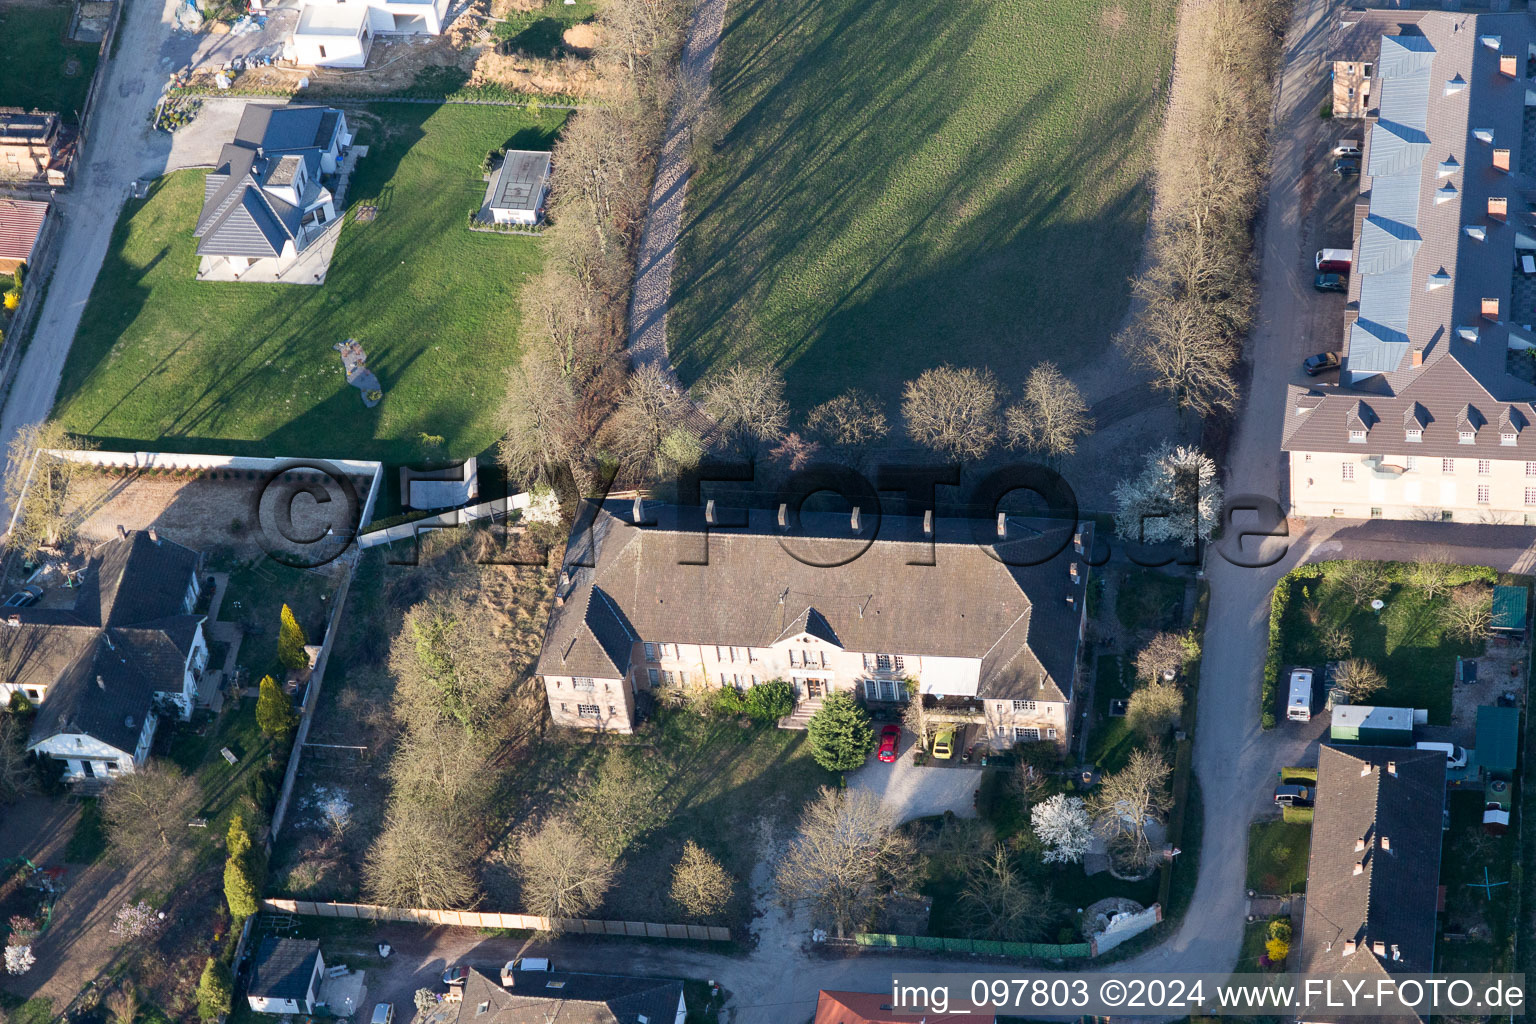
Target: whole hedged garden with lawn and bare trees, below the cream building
[(1392, 632)]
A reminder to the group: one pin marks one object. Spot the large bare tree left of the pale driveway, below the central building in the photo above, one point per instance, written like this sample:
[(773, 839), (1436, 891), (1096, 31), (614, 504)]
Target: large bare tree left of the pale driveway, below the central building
[(846, 856)]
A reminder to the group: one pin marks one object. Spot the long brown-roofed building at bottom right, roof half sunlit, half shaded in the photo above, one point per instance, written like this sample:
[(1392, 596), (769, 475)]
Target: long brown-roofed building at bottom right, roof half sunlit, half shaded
[(1374, 871)]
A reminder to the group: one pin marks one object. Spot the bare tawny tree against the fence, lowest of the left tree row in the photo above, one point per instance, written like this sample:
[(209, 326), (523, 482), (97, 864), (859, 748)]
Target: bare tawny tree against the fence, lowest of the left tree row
[(419, 862)]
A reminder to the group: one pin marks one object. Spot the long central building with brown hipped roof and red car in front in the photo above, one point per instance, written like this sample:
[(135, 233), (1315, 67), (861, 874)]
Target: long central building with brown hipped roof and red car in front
[(841, 603)]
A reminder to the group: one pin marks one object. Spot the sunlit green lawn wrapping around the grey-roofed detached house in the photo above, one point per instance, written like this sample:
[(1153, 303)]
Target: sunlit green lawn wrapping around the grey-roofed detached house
[(248, 369)]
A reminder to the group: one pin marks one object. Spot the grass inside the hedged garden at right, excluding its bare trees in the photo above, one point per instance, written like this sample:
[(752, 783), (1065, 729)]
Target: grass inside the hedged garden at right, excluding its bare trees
[(1406, 641)]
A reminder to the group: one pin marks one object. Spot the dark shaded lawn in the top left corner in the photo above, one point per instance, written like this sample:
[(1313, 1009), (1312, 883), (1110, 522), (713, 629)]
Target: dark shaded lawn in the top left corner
[(35, 58)]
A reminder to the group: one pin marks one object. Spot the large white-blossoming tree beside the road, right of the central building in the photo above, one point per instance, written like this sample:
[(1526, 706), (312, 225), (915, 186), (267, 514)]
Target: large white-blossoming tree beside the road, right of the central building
[(1176, 498)]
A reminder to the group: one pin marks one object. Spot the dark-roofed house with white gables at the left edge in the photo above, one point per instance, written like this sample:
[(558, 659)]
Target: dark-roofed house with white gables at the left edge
[(104, 670)]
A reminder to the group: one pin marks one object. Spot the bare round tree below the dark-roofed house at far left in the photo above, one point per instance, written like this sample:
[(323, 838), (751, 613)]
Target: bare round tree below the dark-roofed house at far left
[(147, 814)]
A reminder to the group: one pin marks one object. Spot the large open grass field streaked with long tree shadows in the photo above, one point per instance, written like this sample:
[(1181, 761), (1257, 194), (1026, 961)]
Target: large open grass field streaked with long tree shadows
[(904, 185)]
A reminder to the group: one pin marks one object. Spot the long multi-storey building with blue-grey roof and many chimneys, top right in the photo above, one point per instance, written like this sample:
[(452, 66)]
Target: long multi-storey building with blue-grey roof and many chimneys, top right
[(1432, 415)]
